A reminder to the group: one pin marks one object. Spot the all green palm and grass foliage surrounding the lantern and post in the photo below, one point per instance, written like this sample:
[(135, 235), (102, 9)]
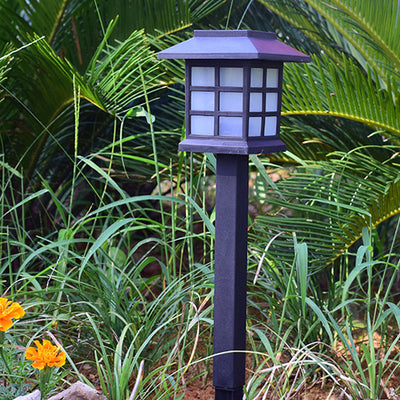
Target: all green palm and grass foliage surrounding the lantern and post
[(107, 233)]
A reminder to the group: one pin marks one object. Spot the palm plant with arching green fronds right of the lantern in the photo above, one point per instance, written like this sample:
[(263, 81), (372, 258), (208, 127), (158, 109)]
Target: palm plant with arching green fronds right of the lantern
[(340, 124)]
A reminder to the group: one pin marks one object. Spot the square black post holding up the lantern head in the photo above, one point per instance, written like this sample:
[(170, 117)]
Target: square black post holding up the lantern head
[(230, 276)]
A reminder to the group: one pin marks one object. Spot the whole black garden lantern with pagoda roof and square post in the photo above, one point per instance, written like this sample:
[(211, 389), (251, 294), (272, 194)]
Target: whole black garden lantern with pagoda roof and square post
[(233, 88)]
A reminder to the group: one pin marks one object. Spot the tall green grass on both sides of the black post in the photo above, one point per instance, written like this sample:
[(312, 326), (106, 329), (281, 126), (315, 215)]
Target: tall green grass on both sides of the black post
[(125, 282)]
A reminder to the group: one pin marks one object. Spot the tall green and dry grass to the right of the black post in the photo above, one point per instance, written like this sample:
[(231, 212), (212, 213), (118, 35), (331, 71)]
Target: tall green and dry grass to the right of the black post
[(347, 337)]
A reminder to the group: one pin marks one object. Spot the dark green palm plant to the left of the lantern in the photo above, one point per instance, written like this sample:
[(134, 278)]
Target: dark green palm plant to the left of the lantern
[(84, 79)]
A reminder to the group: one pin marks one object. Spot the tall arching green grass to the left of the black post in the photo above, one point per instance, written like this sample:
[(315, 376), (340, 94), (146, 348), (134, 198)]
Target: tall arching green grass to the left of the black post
[(85, 277)]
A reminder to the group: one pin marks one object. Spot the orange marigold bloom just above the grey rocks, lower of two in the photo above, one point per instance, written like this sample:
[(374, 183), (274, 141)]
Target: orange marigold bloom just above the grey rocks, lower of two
[(46, 355)]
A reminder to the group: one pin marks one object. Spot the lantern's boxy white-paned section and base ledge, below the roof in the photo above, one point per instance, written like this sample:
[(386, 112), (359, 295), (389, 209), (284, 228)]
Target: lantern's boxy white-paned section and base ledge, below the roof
[(233, 107)]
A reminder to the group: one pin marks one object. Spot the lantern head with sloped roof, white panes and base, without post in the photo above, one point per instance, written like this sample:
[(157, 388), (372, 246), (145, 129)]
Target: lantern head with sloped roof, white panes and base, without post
[(233, 90)]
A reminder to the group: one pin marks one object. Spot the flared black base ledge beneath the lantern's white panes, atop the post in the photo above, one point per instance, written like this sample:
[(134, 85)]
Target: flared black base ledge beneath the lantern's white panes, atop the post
[(220, 146)]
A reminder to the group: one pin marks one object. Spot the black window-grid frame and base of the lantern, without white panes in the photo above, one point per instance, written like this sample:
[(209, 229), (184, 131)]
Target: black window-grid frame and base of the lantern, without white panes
[(234, 144)]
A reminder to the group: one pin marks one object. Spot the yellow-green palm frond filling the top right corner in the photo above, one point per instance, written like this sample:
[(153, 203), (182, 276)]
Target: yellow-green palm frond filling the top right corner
[(367, 31)]
